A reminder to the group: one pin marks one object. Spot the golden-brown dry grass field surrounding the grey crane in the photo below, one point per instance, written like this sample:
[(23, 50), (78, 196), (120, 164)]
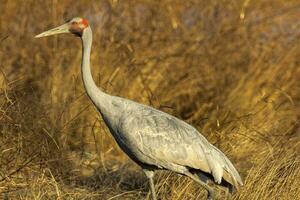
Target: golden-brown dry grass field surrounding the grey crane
[(229, 68)]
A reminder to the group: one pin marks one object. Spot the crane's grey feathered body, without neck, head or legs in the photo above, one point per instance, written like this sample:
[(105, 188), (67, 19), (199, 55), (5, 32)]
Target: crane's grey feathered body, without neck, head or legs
[(156, 139)]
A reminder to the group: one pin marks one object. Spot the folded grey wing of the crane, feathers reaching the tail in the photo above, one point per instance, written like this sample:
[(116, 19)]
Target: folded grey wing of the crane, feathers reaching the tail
[(161, 139)]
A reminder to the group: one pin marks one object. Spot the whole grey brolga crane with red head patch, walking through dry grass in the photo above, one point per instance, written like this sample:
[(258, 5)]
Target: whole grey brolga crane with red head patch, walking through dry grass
[(153, 139)]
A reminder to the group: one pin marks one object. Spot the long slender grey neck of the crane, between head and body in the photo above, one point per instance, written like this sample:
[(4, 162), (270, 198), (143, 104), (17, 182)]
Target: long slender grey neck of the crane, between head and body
[(97, 96)]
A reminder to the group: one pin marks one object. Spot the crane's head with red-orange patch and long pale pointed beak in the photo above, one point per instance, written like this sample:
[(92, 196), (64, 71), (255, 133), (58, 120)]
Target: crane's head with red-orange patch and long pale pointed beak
[(75, 26)]
